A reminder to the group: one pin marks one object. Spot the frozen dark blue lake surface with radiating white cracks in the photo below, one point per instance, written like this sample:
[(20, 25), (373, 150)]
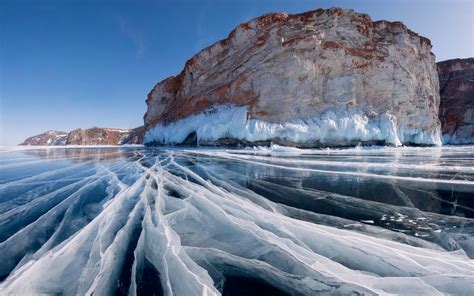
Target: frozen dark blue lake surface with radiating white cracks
[(203, 221)]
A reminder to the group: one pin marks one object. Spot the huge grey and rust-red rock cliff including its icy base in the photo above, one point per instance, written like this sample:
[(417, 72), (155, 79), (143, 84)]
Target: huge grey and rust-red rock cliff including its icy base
[(324, 77)]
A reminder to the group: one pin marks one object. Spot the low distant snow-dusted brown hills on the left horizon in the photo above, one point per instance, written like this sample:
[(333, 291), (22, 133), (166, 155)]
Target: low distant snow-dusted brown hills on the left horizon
[(92, 136)]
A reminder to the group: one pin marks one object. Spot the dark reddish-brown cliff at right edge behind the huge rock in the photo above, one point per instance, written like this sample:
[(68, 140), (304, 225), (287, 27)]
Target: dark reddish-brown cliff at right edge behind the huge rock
[(456, 110)]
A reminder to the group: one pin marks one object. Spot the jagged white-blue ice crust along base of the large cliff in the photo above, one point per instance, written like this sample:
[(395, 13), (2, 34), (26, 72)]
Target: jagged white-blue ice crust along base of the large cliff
[(333, 126)]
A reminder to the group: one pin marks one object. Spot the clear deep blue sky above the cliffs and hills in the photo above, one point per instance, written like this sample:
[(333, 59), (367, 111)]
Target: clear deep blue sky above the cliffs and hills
[(66, 64)]
